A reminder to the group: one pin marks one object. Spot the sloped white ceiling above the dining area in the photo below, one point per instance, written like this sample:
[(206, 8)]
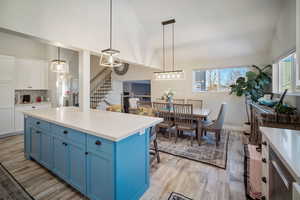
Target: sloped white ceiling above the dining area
[(211, 29)]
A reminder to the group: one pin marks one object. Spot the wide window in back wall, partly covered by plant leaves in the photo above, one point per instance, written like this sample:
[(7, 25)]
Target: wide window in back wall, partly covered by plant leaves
[(216, 79)]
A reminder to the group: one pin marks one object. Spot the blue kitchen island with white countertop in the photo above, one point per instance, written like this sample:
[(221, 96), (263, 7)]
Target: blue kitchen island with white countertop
[(104, 155)]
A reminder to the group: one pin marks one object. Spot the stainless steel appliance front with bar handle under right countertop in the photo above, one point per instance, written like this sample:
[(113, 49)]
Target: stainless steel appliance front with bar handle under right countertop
[(281, 181)]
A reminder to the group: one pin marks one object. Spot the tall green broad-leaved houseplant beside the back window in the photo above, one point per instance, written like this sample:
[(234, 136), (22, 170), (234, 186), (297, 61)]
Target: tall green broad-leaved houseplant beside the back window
[(253, 86)]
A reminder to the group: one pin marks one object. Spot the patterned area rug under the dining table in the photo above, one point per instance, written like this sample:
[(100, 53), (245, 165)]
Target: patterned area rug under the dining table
[(207, 152)]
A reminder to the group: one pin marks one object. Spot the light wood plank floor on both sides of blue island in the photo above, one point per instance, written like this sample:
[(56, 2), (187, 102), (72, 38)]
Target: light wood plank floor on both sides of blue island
[(193, 179)]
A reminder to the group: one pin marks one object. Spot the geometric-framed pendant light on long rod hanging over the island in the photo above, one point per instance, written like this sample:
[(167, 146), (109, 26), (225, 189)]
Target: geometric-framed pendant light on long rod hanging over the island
[(108, 56)]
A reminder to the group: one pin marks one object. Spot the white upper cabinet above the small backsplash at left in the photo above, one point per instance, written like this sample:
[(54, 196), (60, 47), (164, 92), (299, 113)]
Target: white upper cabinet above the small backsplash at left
[(31, 74)]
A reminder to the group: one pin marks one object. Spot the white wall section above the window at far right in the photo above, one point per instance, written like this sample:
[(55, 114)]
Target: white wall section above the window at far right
[(284, 38)]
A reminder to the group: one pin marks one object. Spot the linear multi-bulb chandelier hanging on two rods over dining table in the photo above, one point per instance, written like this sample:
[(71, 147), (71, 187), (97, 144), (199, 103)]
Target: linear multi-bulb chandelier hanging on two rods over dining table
[(173, 74)]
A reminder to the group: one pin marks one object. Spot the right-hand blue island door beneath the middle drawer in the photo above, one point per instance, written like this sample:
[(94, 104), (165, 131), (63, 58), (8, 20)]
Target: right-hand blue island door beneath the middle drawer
[(77, 159)]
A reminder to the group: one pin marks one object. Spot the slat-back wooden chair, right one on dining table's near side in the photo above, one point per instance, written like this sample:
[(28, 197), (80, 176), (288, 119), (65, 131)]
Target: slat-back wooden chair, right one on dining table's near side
[(184, 121)]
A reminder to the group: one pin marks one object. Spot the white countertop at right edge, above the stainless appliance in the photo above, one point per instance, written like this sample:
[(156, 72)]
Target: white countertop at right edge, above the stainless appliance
[(286, 144)]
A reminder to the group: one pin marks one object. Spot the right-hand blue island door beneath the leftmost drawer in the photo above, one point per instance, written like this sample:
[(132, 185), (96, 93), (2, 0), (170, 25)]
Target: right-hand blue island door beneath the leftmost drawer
[(46, 150)]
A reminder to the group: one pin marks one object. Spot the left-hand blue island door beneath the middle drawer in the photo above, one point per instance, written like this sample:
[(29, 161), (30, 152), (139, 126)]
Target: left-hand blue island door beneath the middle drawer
[(60, 158)]
